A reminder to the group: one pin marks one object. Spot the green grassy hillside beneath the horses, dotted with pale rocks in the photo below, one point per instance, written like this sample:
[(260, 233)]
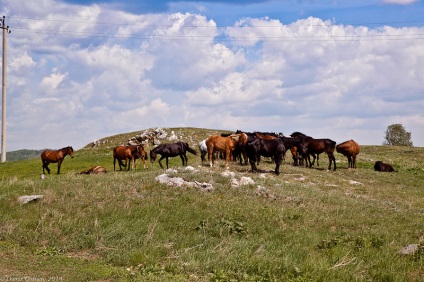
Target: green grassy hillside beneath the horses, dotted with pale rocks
[(303, 225)]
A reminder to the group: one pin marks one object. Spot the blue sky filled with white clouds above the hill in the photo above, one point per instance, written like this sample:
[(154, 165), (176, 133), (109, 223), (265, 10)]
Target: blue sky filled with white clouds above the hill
[(83, 70)]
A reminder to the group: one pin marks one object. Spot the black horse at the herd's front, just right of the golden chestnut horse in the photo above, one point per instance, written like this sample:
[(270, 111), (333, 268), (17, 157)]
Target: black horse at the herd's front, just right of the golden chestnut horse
[(273, 148)]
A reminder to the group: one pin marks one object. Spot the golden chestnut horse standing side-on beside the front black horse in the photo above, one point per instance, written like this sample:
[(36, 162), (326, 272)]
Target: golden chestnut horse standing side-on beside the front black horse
[(224, 144)]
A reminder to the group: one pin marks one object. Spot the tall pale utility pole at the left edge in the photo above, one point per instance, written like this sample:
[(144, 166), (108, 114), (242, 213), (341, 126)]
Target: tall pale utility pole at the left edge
[(6, 30)]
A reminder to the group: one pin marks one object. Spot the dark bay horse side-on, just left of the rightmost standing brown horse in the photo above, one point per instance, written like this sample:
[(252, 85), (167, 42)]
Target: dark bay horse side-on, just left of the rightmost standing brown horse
[(310, 146)]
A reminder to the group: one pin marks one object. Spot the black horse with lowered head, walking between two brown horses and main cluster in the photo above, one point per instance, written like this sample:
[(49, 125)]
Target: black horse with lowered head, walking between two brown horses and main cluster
[(171, 150)]
